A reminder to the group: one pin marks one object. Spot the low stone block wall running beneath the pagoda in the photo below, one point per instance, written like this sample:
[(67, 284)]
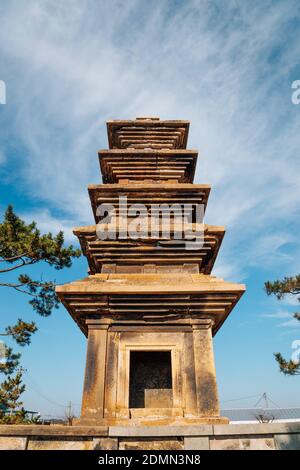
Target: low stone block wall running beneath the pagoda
[(274, 436)]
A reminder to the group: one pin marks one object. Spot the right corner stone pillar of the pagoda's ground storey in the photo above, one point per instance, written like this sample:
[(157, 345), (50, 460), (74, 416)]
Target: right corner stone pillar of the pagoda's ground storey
[(206, 384)]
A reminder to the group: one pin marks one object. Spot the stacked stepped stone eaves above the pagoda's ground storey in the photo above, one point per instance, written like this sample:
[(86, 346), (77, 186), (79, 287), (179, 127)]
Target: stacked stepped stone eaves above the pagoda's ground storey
[(110, 266)]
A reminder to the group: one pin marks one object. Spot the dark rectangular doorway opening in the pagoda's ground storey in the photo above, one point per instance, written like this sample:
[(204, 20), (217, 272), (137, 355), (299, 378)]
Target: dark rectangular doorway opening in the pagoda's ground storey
[(150, 381)]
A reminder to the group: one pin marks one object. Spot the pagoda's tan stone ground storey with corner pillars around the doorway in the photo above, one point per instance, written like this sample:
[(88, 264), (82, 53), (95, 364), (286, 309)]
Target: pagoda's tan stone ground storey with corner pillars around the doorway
[(111, 357)]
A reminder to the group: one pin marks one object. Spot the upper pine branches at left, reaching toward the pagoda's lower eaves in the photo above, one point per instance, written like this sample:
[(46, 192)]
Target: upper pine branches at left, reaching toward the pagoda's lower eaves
[(22, 245)]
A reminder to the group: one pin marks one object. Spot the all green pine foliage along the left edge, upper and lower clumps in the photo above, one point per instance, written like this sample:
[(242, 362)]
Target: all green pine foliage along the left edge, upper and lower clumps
[(22, 245)]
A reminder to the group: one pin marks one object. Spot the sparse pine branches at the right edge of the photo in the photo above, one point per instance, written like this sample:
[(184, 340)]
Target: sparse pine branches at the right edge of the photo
[(281, 288)]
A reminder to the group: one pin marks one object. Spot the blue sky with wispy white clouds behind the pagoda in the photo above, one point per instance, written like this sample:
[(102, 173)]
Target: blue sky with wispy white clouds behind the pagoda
[(228, 68)]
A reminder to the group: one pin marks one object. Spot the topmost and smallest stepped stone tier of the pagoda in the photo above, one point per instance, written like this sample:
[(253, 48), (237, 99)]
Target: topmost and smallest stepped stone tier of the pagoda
[(147, 133)]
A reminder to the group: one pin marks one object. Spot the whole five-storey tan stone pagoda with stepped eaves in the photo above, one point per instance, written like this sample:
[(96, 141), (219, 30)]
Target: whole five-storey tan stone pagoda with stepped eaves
[(149, 307)]
